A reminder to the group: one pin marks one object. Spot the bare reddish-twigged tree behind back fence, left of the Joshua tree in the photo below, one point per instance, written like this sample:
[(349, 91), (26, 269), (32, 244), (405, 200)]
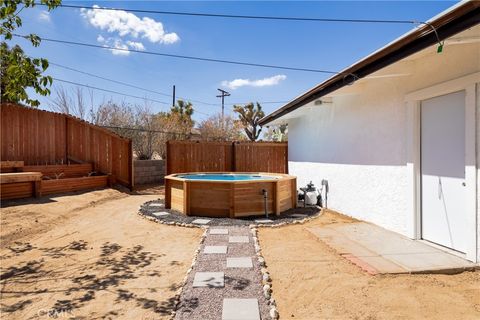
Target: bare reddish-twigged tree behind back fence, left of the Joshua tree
[(216, 128)]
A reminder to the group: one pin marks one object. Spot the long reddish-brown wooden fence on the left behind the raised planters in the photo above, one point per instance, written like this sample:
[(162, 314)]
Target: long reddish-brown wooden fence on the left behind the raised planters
[(46, 138)]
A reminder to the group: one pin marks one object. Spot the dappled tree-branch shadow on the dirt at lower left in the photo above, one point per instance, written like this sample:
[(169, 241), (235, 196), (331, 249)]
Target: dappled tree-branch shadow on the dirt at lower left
[(109, 272)]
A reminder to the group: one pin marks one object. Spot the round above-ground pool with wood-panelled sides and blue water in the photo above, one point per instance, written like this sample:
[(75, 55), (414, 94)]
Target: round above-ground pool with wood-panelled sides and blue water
[(230, 194)]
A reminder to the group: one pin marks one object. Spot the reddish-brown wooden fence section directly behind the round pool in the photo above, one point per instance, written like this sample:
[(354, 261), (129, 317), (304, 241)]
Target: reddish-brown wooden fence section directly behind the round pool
[(200, 156)]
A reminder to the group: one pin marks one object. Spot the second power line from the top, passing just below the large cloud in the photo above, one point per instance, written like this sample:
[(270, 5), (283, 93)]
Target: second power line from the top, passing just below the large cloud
[(182, 56)]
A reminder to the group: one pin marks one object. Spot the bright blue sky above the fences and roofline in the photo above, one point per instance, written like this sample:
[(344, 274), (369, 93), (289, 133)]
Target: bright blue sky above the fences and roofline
[(327, 46)]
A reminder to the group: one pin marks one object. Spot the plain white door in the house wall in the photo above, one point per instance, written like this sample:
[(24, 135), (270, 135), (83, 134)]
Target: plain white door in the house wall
[(444, 213)]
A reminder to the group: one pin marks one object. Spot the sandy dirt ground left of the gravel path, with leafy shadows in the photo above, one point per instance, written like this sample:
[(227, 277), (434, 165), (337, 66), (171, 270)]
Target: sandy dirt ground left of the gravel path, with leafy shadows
[(90, 256)]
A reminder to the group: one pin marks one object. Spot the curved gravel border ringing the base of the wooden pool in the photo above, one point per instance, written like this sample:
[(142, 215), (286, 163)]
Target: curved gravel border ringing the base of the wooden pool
[(152, 207)]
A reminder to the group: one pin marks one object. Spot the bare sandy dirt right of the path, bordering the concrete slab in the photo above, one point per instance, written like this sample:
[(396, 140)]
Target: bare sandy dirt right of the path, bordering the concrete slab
[(311, 281)]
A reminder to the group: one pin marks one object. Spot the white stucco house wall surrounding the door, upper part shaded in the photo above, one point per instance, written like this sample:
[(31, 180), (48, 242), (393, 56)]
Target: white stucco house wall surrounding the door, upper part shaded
[(359, 141)]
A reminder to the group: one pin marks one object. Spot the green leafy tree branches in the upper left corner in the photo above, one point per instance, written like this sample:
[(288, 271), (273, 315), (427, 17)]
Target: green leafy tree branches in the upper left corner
[(18, 71)]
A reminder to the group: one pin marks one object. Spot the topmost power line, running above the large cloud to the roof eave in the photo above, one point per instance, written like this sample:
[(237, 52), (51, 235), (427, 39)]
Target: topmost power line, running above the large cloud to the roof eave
[(214, 15)]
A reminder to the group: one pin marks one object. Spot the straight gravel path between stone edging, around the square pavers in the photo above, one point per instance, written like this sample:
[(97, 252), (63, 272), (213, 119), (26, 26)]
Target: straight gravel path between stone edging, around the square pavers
[(206, 302)]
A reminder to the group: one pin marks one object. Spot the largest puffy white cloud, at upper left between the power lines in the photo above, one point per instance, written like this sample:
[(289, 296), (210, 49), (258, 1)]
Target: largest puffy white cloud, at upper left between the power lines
[(125, 23)]
